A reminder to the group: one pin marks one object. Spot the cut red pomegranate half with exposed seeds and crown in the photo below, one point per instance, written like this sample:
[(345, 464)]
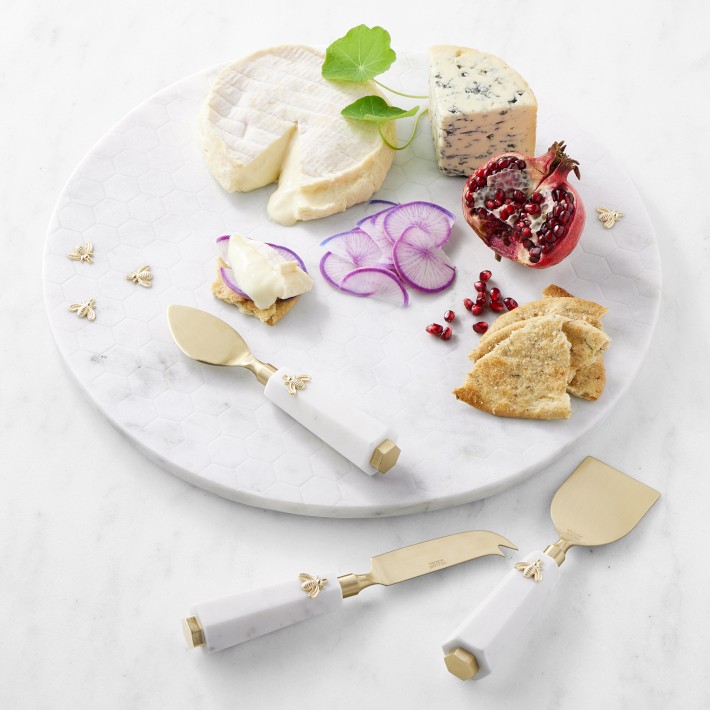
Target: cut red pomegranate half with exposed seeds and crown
[(524, 209)]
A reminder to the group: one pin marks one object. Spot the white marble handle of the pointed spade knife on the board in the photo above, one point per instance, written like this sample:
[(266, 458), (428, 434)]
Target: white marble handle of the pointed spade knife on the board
[(359, 437)]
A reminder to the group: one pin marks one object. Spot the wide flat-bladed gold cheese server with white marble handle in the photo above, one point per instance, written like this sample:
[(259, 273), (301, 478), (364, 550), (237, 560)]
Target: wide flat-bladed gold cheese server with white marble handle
[(596, 505)]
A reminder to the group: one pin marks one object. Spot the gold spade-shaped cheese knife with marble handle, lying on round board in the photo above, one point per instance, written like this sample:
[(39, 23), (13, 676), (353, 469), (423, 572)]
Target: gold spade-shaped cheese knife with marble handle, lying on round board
[(360, 438)]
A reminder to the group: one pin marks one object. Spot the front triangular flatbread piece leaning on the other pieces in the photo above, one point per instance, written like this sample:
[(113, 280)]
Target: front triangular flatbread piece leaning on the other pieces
[(524, 375)]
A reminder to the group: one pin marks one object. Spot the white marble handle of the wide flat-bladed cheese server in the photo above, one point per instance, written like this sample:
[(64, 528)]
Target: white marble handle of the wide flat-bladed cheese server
[(478, 645)]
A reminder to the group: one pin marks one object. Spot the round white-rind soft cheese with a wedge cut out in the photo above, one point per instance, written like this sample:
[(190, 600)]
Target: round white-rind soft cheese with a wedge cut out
[(272, 117)]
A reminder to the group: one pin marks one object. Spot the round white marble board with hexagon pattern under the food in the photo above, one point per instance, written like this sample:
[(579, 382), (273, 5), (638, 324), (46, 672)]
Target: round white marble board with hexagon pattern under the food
[(142, 196)]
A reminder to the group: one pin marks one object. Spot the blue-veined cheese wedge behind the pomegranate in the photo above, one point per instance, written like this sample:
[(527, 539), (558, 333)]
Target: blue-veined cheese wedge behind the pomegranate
[(479, 108)]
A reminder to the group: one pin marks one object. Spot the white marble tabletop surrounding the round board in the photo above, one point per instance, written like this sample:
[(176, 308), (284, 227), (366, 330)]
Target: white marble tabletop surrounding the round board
[(101, 551)]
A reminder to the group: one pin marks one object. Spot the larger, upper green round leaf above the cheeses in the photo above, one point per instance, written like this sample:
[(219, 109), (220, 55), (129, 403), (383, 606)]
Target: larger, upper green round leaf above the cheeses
[(363, 53)]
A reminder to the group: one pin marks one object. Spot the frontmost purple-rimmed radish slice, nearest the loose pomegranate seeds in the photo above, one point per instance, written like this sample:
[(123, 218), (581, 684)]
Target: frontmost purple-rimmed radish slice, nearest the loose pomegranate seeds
[(420, 264)]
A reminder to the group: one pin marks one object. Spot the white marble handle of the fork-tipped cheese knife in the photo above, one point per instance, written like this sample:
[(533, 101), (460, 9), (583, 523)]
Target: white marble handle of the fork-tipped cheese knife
[(220, 623)]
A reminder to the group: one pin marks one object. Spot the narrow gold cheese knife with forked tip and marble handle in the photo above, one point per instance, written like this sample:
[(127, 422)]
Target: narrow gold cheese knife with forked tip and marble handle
[(225, 622)]
